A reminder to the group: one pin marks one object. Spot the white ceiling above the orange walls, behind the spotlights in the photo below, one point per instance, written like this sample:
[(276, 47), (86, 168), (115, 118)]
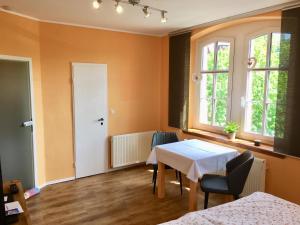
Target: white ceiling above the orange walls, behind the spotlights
[(181, 14)]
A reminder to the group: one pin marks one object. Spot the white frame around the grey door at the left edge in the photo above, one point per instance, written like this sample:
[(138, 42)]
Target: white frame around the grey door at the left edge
[(34, 137)]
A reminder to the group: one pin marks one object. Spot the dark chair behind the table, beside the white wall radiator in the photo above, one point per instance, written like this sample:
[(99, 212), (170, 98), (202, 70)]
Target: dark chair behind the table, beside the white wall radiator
[(160, 138)]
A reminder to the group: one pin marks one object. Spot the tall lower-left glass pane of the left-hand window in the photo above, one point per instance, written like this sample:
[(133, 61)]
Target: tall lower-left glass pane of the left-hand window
[(206, 97)]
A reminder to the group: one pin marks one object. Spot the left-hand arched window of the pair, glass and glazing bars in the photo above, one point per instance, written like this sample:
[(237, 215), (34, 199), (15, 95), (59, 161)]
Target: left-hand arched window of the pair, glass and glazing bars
[(215, 71)]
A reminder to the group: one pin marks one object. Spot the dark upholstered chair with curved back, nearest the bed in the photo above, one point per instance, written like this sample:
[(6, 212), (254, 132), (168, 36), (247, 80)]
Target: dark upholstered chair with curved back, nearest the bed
[(233, 183)]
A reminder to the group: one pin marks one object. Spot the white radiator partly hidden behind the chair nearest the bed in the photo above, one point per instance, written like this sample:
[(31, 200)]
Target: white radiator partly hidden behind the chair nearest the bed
[(257, 177)]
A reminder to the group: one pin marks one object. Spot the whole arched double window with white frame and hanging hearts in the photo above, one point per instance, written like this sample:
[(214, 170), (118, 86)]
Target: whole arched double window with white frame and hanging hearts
[(236, 76)]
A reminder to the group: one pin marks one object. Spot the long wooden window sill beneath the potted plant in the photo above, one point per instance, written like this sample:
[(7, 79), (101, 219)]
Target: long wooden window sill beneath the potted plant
[(239, 143)]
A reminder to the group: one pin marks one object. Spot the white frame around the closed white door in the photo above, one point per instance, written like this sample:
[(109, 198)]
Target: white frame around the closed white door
[(73, 115)]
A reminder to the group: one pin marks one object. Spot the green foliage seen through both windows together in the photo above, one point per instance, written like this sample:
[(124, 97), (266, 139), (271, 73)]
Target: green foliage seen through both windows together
[(262, 98)]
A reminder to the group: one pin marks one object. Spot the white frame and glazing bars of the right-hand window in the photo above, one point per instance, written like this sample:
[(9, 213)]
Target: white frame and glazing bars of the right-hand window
[(243, 132)]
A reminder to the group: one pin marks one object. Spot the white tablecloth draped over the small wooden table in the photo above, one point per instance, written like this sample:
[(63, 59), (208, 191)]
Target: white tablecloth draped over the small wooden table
[(193, 157)]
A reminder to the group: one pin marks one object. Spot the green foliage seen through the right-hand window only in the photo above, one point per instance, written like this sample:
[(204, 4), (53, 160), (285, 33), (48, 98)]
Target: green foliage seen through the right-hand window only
[(258, 79)]
